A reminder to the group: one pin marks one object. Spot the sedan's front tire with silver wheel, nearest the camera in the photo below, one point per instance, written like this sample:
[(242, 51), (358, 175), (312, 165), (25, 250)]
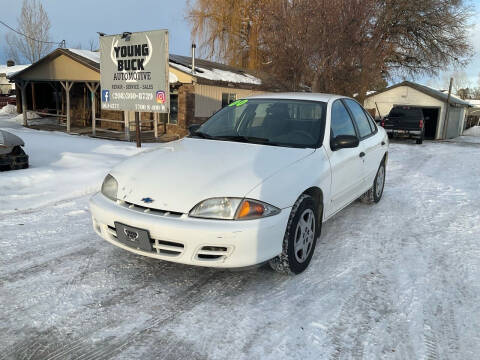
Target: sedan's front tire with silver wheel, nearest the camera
[(300, 237)]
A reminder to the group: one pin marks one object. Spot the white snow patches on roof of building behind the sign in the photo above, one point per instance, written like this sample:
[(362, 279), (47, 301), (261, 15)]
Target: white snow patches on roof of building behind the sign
[(214, 74)]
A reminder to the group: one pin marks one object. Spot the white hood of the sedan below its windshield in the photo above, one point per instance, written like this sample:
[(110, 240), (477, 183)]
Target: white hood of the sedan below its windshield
[(178, 175)]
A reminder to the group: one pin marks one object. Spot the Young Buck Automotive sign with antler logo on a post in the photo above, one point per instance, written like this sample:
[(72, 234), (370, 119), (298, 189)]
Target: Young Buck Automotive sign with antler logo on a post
[(134, 72)]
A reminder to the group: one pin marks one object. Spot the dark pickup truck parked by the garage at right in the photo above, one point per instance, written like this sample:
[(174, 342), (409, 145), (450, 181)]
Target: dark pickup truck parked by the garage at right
[(405, 121)]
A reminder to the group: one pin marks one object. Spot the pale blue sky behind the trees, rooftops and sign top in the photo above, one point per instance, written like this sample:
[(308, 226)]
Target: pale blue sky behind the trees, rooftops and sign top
[(78, 22)]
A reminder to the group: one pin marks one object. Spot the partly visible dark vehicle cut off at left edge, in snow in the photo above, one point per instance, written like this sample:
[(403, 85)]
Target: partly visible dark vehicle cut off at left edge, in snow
[(12, 156)]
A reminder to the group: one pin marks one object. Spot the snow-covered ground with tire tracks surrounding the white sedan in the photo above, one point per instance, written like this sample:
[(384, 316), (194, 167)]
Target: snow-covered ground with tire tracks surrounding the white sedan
[(397, 280)]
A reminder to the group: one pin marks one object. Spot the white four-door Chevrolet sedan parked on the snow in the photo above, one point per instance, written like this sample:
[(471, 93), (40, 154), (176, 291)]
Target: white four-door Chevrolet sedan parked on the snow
[(252, 184)]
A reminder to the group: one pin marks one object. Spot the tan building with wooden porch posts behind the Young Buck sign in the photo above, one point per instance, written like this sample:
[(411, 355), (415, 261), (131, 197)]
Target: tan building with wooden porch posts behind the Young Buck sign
[(65, 84)]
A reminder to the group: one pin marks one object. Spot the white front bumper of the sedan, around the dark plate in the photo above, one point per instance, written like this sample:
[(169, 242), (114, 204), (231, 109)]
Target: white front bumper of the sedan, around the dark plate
[(191, 241)]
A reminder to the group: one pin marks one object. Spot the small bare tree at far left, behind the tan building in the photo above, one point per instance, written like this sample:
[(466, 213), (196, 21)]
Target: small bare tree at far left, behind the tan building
[(33, 42)]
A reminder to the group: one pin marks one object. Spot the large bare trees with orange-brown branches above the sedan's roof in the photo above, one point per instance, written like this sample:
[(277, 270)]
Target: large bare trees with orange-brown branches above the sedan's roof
[(340, 46)]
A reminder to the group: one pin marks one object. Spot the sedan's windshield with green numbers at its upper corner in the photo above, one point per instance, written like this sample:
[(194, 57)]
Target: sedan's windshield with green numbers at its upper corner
[(266, 121)]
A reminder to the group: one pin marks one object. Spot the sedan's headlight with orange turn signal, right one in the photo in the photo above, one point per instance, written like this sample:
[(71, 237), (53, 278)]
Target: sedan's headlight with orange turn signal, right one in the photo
[(233, 209)]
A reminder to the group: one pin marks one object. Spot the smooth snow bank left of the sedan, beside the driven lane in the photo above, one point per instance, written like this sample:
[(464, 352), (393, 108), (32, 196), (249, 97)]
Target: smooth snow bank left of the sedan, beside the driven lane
[(62, 167)]
